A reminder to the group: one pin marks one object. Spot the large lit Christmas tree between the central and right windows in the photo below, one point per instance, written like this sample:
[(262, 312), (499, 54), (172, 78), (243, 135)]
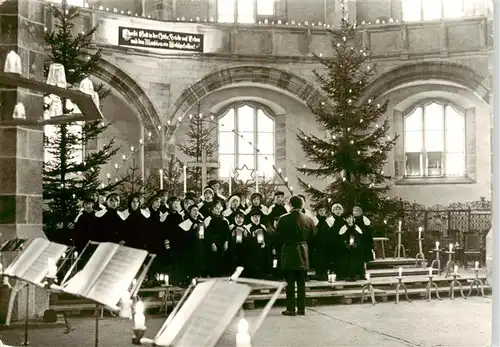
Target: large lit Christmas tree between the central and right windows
[(354, 153)]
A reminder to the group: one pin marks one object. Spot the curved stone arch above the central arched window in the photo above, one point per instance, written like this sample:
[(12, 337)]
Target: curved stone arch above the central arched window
[(297, 86)]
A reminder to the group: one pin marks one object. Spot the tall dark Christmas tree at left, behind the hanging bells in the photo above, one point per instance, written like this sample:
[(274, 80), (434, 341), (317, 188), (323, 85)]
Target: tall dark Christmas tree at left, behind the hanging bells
[(70, 174)]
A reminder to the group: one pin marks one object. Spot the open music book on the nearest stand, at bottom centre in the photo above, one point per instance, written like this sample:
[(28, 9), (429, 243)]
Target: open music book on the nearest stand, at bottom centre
[(204, 316)]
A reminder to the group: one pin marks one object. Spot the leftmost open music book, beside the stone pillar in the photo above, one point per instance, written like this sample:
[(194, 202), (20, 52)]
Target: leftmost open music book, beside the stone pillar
[(32, 264)]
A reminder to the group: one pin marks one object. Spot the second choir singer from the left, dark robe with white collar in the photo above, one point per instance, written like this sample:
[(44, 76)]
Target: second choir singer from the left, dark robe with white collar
[(110, 222)]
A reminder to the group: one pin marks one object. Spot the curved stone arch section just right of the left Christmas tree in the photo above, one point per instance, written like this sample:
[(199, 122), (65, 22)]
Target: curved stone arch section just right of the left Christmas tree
[(131, 91)]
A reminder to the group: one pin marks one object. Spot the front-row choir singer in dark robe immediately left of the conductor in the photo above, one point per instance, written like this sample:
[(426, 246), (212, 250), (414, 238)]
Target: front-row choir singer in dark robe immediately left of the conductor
[(258, 253)]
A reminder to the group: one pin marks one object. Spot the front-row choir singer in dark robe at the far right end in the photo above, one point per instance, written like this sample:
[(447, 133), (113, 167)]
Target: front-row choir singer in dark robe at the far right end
[(351, 266)]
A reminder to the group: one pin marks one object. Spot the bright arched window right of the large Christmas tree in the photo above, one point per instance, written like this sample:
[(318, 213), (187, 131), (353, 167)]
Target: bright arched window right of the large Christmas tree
[(435, 140)]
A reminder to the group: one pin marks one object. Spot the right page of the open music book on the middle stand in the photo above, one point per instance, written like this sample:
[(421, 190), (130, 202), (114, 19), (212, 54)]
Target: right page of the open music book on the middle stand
[(116, 277)]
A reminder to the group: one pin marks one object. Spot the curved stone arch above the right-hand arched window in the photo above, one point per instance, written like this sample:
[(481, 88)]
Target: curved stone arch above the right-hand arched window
[(438, 70)]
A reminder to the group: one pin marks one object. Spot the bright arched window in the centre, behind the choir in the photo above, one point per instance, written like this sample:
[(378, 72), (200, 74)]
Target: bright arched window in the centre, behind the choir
[(246, 136)]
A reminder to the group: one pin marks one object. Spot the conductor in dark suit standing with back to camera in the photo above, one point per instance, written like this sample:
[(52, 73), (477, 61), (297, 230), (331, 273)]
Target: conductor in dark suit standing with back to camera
[(295, 229)]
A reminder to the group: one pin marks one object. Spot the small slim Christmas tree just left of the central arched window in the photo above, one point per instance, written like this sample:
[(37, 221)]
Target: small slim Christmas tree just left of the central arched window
[(199, 138)]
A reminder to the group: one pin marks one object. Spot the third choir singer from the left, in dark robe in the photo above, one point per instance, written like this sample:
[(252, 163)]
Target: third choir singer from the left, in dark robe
[(136, 222)]
